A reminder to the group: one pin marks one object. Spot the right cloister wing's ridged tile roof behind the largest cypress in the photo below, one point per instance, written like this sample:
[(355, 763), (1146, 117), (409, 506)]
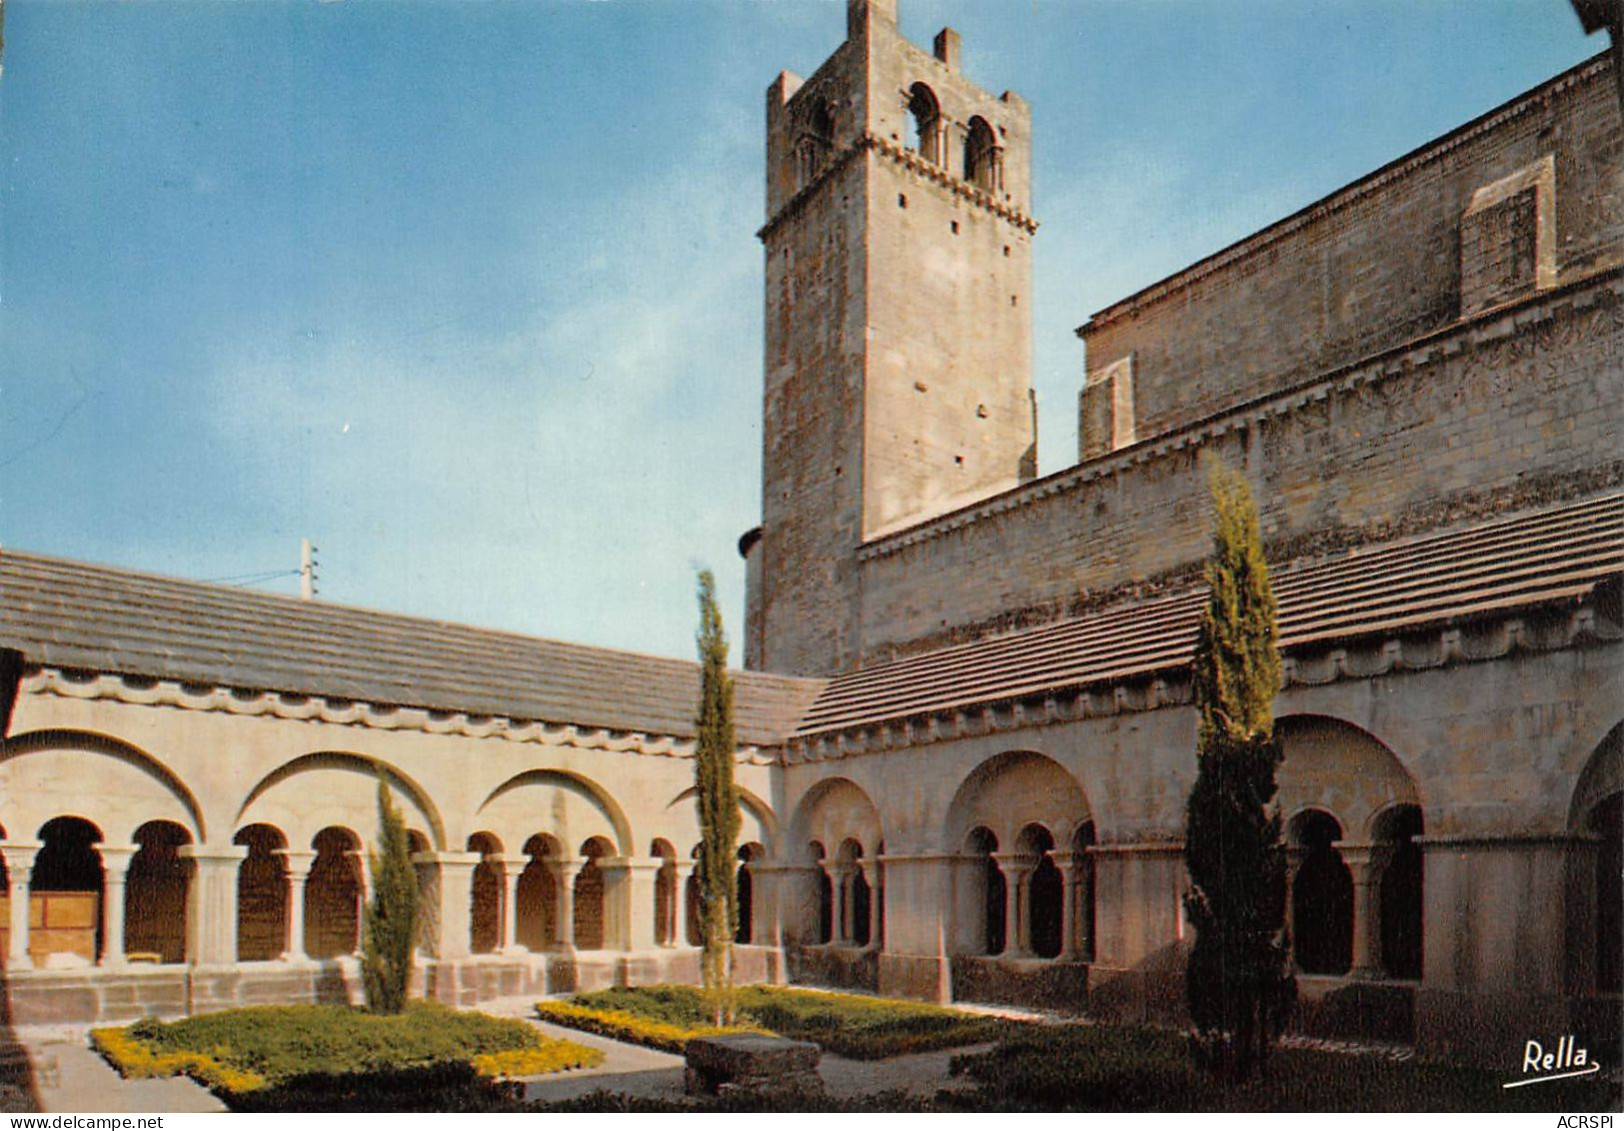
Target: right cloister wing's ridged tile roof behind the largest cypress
[(1531, 560)]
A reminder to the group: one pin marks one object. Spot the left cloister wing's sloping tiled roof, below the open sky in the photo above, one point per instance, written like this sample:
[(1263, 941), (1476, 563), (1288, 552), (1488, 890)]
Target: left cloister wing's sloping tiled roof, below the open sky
[(93, 618)]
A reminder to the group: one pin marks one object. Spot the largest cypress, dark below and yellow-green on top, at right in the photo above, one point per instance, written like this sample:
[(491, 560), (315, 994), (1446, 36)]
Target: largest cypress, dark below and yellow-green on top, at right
[(1237, 982)]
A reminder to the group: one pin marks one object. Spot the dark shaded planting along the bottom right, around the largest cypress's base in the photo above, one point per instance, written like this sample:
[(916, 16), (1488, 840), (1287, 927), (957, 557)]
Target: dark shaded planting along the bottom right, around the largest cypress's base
[(1116, 1068)]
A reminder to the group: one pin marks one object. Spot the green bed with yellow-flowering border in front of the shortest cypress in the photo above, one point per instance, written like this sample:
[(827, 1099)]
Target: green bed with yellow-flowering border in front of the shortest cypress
[(337, 1051)]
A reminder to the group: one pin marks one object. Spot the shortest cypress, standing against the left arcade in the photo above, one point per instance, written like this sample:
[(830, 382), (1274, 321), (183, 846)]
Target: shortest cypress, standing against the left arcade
[(389, 929)]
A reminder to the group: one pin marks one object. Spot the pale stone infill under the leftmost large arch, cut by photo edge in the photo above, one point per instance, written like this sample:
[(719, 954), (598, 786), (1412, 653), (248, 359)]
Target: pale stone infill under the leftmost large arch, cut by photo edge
[(45, 773)]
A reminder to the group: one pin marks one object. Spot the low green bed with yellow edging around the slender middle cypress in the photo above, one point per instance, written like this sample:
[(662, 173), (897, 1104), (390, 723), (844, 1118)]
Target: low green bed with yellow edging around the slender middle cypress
[(840, 1023)]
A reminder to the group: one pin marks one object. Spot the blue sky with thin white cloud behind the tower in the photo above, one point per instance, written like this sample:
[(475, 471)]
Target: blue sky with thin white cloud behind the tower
[(470, 295)]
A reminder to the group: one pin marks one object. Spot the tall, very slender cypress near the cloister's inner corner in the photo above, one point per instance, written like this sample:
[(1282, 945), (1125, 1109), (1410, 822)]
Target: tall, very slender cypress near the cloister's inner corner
[(719, 807)]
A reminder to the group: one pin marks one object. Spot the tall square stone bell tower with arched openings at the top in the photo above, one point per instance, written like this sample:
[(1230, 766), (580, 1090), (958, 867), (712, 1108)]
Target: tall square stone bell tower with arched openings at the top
[(899, 324)]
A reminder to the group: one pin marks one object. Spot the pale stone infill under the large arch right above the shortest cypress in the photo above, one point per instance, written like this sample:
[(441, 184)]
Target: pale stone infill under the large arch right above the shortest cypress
[(304, 795)]
